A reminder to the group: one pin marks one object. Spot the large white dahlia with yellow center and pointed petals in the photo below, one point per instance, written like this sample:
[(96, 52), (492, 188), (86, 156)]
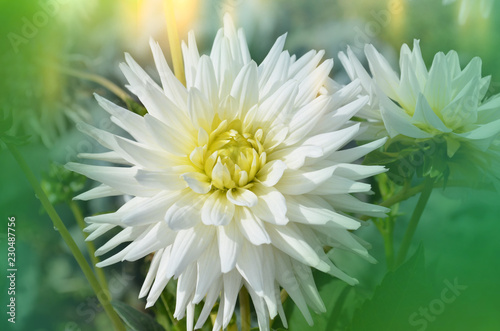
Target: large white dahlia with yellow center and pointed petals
[(237, 179)]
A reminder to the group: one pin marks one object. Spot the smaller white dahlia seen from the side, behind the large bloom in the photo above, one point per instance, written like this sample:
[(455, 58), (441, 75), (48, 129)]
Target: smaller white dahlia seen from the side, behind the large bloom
[(444, 101)]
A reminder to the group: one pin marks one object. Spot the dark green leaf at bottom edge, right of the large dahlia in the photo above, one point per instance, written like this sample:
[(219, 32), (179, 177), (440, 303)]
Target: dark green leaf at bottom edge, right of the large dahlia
[(400, 295)]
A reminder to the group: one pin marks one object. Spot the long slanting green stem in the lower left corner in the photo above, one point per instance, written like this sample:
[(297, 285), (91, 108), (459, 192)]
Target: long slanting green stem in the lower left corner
[(102, 296)]
